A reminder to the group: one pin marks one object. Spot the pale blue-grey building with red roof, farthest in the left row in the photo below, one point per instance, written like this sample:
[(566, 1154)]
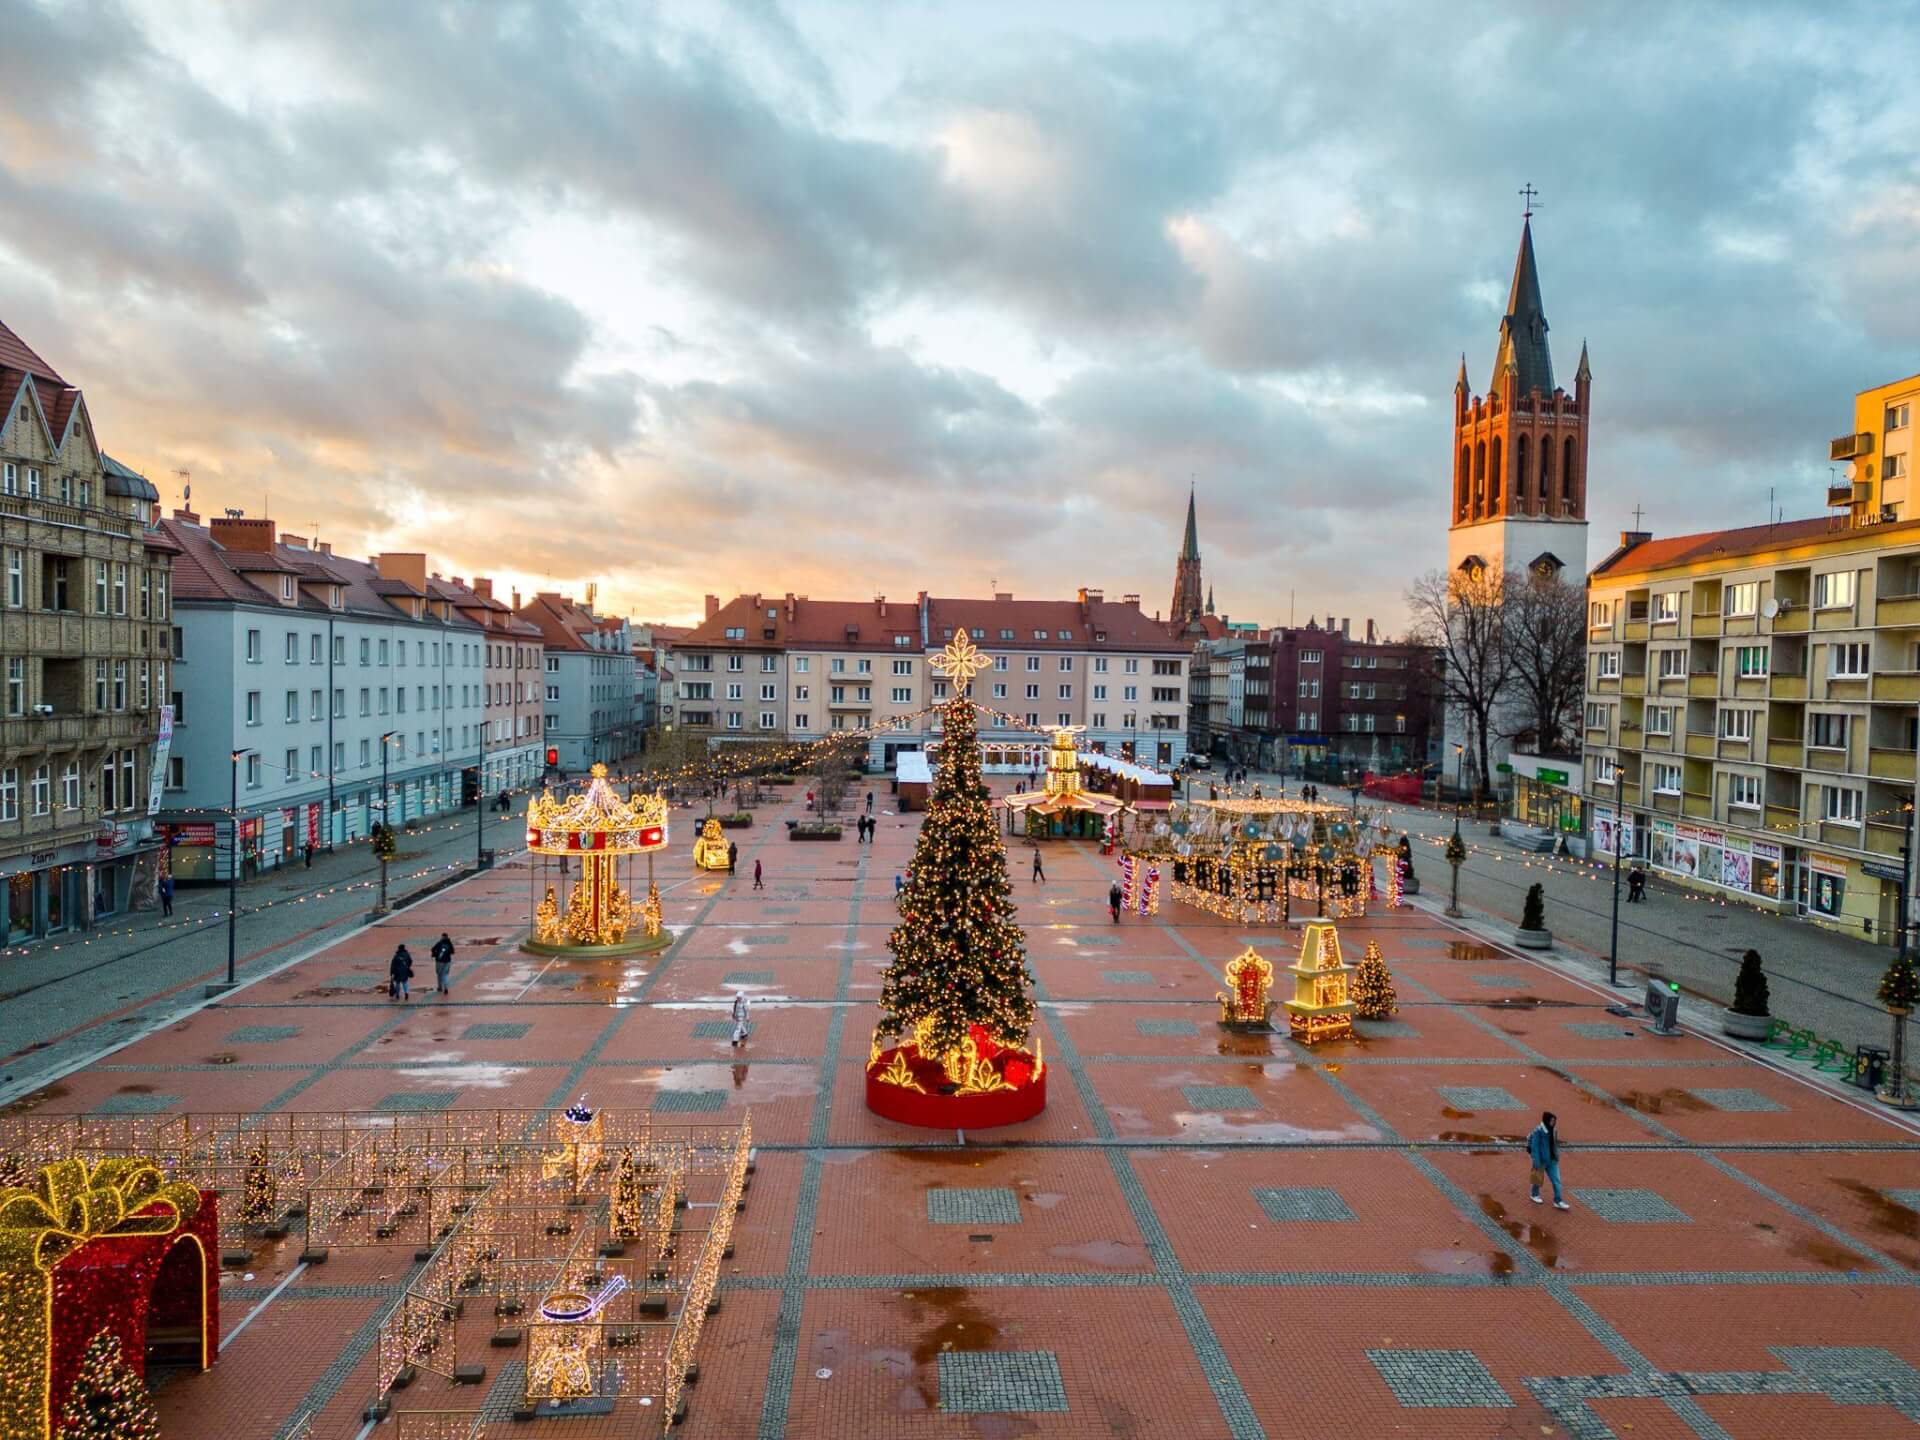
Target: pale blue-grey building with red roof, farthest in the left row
[(588, 683)]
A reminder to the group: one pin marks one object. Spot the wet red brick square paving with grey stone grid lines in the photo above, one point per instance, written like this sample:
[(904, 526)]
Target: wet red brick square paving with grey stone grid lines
[(1234, 1182)]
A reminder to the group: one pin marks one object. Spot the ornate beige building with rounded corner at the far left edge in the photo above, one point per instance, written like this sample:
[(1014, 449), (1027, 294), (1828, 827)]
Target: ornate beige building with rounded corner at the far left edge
[(85, 612)]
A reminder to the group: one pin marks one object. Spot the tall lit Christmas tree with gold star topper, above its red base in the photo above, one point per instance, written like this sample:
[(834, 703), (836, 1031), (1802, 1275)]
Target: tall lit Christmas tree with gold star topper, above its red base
[(959, 955)]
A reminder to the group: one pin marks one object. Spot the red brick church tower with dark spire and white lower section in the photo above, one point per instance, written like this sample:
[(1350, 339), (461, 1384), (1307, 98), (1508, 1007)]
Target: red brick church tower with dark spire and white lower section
[(1520, 450)]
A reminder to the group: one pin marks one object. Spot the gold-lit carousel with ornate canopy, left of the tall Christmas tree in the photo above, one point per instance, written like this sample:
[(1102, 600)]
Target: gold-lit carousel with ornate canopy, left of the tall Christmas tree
[(585, 846)]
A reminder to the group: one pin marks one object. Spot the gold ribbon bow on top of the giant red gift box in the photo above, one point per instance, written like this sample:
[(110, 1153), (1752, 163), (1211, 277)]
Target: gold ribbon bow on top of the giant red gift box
[(78, 1201)]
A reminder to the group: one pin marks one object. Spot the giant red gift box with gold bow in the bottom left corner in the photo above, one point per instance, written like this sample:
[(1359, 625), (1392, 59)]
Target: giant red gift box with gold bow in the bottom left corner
[(89, 1247)]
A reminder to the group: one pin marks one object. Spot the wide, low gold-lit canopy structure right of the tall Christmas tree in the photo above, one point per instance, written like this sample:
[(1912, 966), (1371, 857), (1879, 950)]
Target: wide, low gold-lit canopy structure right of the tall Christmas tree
[(1264, 861)]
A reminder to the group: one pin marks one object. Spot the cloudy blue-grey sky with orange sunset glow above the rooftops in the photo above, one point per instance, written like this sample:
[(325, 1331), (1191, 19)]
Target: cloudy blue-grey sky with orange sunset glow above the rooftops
[(852, 299)]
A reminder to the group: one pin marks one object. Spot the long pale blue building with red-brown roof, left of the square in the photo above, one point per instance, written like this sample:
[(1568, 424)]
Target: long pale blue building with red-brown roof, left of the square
[(300, 681)]
